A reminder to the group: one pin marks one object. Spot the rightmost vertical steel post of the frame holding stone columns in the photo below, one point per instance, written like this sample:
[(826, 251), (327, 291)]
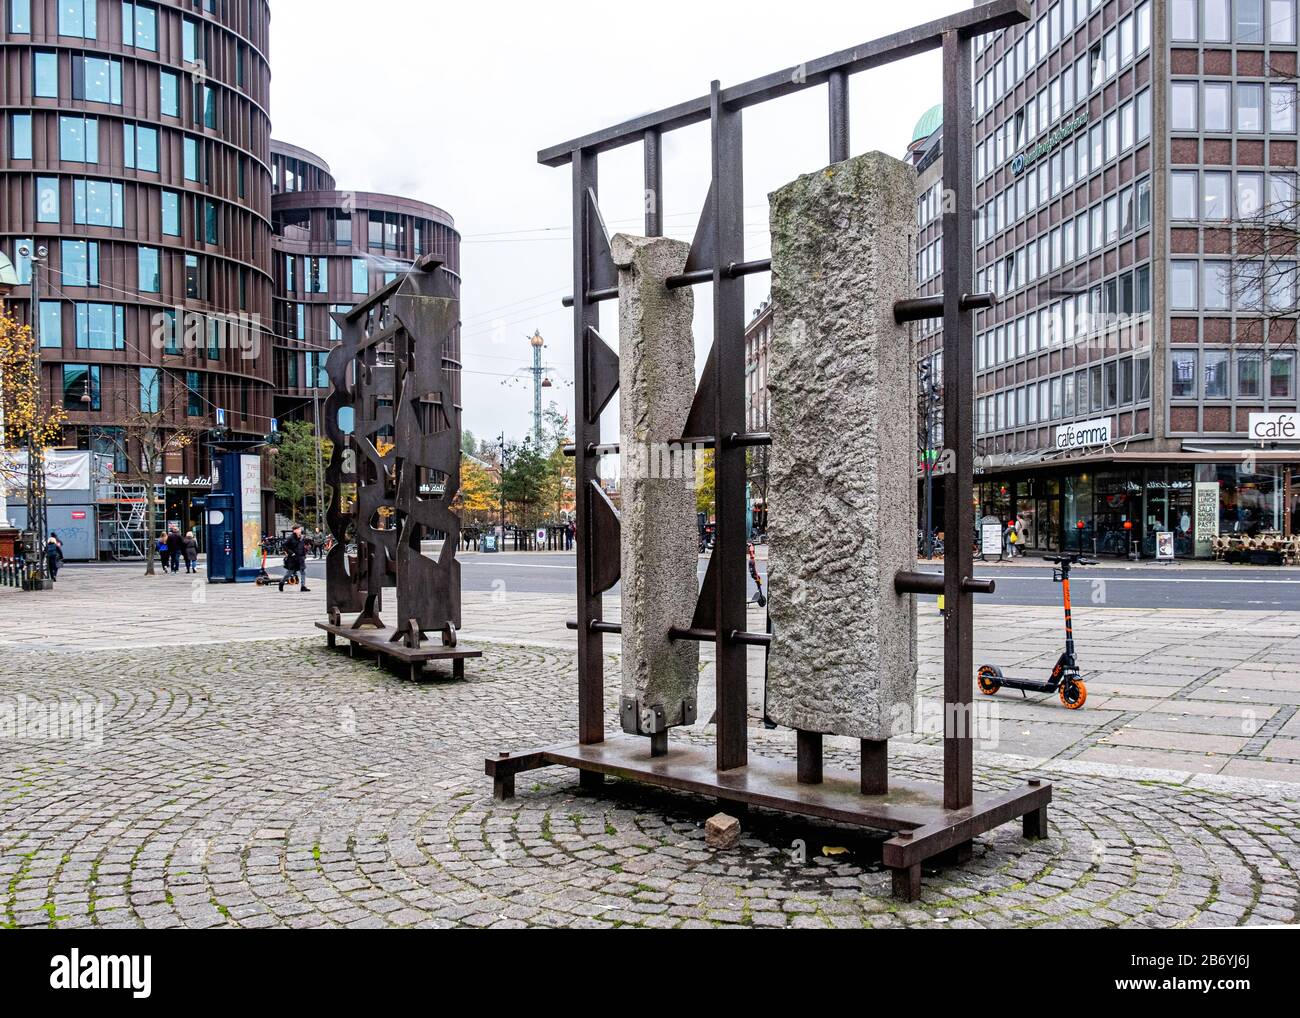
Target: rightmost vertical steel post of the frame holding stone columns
[(959, 376)]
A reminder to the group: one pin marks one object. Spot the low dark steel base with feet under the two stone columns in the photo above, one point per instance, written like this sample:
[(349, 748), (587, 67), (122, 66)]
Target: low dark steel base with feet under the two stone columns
[(915, 811)]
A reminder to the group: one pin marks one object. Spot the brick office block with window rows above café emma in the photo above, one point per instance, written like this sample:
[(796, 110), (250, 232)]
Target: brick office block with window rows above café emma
[(1130, 155)]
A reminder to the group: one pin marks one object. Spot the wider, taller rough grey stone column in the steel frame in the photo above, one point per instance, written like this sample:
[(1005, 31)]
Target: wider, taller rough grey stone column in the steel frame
[(842, 495)]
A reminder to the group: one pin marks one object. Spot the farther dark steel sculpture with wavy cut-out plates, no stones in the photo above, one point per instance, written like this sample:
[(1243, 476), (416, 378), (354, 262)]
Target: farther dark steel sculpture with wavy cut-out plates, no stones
[(396, 471)]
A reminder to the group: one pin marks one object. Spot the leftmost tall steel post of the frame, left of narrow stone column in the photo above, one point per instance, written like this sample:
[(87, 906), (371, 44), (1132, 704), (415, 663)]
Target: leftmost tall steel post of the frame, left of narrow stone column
[(587, 431)]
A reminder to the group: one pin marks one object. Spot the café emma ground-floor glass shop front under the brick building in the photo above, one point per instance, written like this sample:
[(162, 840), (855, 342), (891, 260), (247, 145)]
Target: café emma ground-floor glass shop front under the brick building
[(1119, 508)]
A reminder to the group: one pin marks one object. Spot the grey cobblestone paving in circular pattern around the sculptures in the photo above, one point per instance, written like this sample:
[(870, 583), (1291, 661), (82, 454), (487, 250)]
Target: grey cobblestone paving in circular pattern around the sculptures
[(283, 785)]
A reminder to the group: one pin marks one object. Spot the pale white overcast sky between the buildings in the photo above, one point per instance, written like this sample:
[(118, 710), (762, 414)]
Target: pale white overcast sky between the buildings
[(450, 103)]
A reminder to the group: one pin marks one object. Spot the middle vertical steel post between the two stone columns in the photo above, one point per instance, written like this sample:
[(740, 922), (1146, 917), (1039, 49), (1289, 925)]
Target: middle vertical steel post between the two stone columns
[(730, 419)]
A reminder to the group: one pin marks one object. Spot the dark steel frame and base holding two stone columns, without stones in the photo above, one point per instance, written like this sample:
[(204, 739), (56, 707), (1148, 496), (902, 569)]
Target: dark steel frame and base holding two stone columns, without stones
[(930, 822)]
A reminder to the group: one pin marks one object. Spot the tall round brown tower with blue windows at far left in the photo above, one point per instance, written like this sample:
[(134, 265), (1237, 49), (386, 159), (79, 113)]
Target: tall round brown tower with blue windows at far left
[(137, 151)]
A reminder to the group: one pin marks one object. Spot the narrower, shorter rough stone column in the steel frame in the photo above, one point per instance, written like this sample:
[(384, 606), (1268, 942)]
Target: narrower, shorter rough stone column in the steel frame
[(660, 552)]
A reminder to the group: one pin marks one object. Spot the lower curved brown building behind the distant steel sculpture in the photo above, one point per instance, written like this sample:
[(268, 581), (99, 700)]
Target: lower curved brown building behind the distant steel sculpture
[(332, 249)]
